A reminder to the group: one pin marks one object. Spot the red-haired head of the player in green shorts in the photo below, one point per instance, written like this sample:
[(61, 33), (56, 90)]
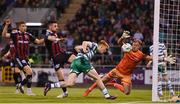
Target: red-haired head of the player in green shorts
[(103, 46)]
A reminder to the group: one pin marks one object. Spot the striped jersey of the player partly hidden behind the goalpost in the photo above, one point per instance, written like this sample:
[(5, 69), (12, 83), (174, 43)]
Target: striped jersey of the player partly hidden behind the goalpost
[(161, 50)]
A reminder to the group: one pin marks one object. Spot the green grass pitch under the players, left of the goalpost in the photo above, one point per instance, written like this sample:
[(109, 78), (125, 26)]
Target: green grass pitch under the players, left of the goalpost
[(7, 95)]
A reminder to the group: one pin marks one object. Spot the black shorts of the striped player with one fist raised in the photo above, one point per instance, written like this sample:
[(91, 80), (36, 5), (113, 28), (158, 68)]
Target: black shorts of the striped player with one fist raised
[(21, 63)]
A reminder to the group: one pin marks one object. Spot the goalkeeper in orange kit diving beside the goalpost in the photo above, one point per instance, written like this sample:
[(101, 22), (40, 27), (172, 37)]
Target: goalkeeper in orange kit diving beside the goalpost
[(123, 71)]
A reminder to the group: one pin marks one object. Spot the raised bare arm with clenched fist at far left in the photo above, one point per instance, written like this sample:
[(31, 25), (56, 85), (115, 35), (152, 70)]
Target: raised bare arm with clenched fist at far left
[(5, 29)]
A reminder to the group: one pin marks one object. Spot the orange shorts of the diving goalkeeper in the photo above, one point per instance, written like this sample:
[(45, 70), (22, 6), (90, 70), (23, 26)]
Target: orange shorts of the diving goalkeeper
[(125, 79)]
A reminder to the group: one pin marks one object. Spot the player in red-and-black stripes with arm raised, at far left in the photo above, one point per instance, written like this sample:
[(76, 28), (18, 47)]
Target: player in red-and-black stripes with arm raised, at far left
[(21, 40)]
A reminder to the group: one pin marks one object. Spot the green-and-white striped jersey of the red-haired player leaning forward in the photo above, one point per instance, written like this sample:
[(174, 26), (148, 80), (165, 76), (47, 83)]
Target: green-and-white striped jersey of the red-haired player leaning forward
[(92, 49)]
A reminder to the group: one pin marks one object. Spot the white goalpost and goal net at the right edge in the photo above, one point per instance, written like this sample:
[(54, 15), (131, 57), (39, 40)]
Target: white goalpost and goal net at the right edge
[(166, 31)]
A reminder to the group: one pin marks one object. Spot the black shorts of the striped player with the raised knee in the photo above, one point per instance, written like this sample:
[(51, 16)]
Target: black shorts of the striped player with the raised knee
[(60, 60)]
